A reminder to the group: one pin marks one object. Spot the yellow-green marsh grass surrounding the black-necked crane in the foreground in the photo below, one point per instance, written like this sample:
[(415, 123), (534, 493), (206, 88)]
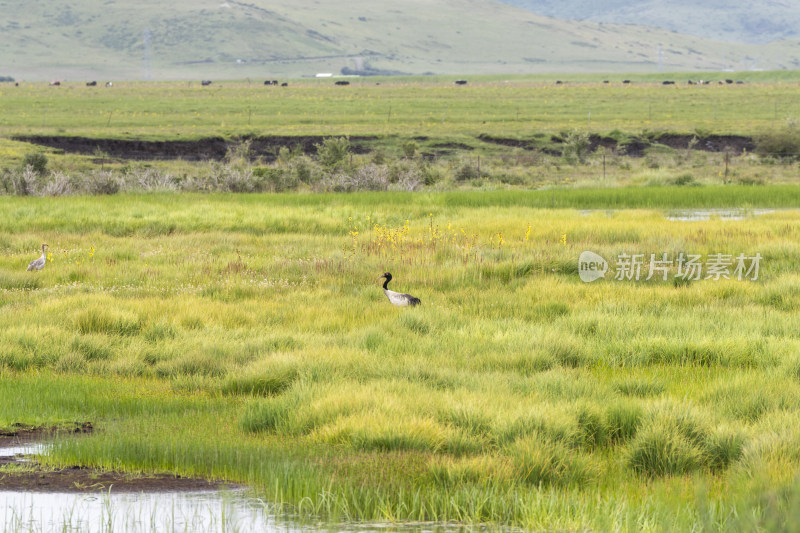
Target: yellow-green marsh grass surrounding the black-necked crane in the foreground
[(247, 338)]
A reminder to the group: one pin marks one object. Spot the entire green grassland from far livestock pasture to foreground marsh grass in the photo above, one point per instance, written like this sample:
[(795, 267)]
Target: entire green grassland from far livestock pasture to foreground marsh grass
[(245, 336)]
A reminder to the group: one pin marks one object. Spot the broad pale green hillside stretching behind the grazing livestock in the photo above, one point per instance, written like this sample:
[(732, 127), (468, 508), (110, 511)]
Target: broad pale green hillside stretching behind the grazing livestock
[(191, 39)]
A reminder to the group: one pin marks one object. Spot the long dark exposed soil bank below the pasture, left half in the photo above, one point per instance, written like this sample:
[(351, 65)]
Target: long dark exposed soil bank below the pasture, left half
[(211, 148)]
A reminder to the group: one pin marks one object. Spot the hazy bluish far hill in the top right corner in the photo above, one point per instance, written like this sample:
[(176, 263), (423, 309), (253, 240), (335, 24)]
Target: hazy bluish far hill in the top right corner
[(754, 21)]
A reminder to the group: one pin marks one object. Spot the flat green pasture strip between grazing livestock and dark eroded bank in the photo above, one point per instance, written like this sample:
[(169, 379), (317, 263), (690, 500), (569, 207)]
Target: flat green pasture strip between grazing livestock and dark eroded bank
[(507, 106)]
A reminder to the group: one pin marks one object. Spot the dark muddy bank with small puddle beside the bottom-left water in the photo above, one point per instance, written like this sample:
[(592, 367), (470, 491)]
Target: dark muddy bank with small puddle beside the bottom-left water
[(19, 470)]
